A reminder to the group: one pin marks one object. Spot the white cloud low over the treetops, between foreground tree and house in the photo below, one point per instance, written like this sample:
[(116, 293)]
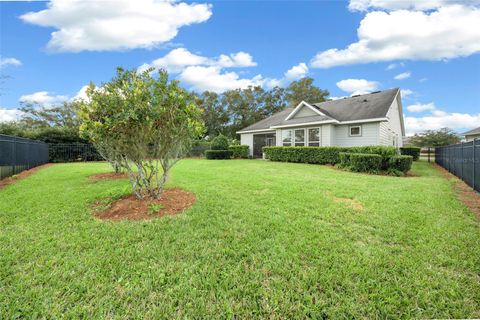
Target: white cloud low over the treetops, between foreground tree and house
[(208, 73)]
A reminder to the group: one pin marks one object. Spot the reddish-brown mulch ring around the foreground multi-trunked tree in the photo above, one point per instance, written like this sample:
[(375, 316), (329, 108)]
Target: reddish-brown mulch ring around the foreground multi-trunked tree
[(171, 202)]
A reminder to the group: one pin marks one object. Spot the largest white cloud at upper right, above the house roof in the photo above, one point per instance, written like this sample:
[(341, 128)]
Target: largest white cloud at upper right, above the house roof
[(409, 35)]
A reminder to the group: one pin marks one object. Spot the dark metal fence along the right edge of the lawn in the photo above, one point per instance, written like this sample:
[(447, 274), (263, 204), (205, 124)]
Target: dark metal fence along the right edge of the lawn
[(463, 160)]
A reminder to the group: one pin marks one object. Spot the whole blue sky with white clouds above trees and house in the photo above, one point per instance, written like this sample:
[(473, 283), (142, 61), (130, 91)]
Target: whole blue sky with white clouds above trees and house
[(51, 50)]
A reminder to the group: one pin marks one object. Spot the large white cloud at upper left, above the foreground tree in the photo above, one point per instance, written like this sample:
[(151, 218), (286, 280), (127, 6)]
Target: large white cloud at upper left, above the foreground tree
[(115, 25)]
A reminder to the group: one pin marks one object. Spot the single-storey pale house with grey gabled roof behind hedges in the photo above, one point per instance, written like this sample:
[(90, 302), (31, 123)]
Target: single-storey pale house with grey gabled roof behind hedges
[(361, 120)]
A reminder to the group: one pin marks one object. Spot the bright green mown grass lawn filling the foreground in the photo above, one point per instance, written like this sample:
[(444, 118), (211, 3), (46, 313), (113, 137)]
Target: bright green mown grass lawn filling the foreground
[(264, 240)]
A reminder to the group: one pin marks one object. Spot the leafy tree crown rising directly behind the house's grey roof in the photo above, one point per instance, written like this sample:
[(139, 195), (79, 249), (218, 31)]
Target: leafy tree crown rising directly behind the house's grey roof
[(304, 90)]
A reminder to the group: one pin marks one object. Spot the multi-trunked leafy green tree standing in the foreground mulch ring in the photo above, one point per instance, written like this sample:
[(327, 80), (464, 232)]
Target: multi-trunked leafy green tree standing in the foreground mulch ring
[(143, 123)]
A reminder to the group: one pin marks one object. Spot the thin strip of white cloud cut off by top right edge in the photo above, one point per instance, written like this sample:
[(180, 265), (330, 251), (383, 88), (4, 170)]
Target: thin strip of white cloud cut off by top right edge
[(422, 5)]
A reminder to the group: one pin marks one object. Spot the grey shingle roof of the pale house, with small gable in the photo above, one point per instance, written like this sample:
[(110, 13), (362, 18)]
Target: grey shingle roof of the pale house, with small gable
[(372, 106)]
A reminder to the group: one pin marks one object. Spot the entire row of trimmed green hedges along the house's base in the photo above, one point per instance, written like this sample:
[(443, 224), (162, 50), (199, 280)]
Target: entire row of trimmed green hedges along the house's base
[(370, 159)]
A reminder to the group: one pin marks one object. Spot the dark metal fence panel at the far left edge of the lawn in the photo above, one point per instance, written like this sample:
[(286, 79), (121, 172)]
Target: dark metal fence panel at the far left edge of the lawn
[(19, 154)]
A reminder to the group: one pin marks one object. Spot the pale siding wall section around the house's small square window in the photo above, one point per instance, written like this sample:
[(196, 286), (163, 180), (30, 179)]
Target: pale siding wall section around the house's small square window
[(369, 136)]
